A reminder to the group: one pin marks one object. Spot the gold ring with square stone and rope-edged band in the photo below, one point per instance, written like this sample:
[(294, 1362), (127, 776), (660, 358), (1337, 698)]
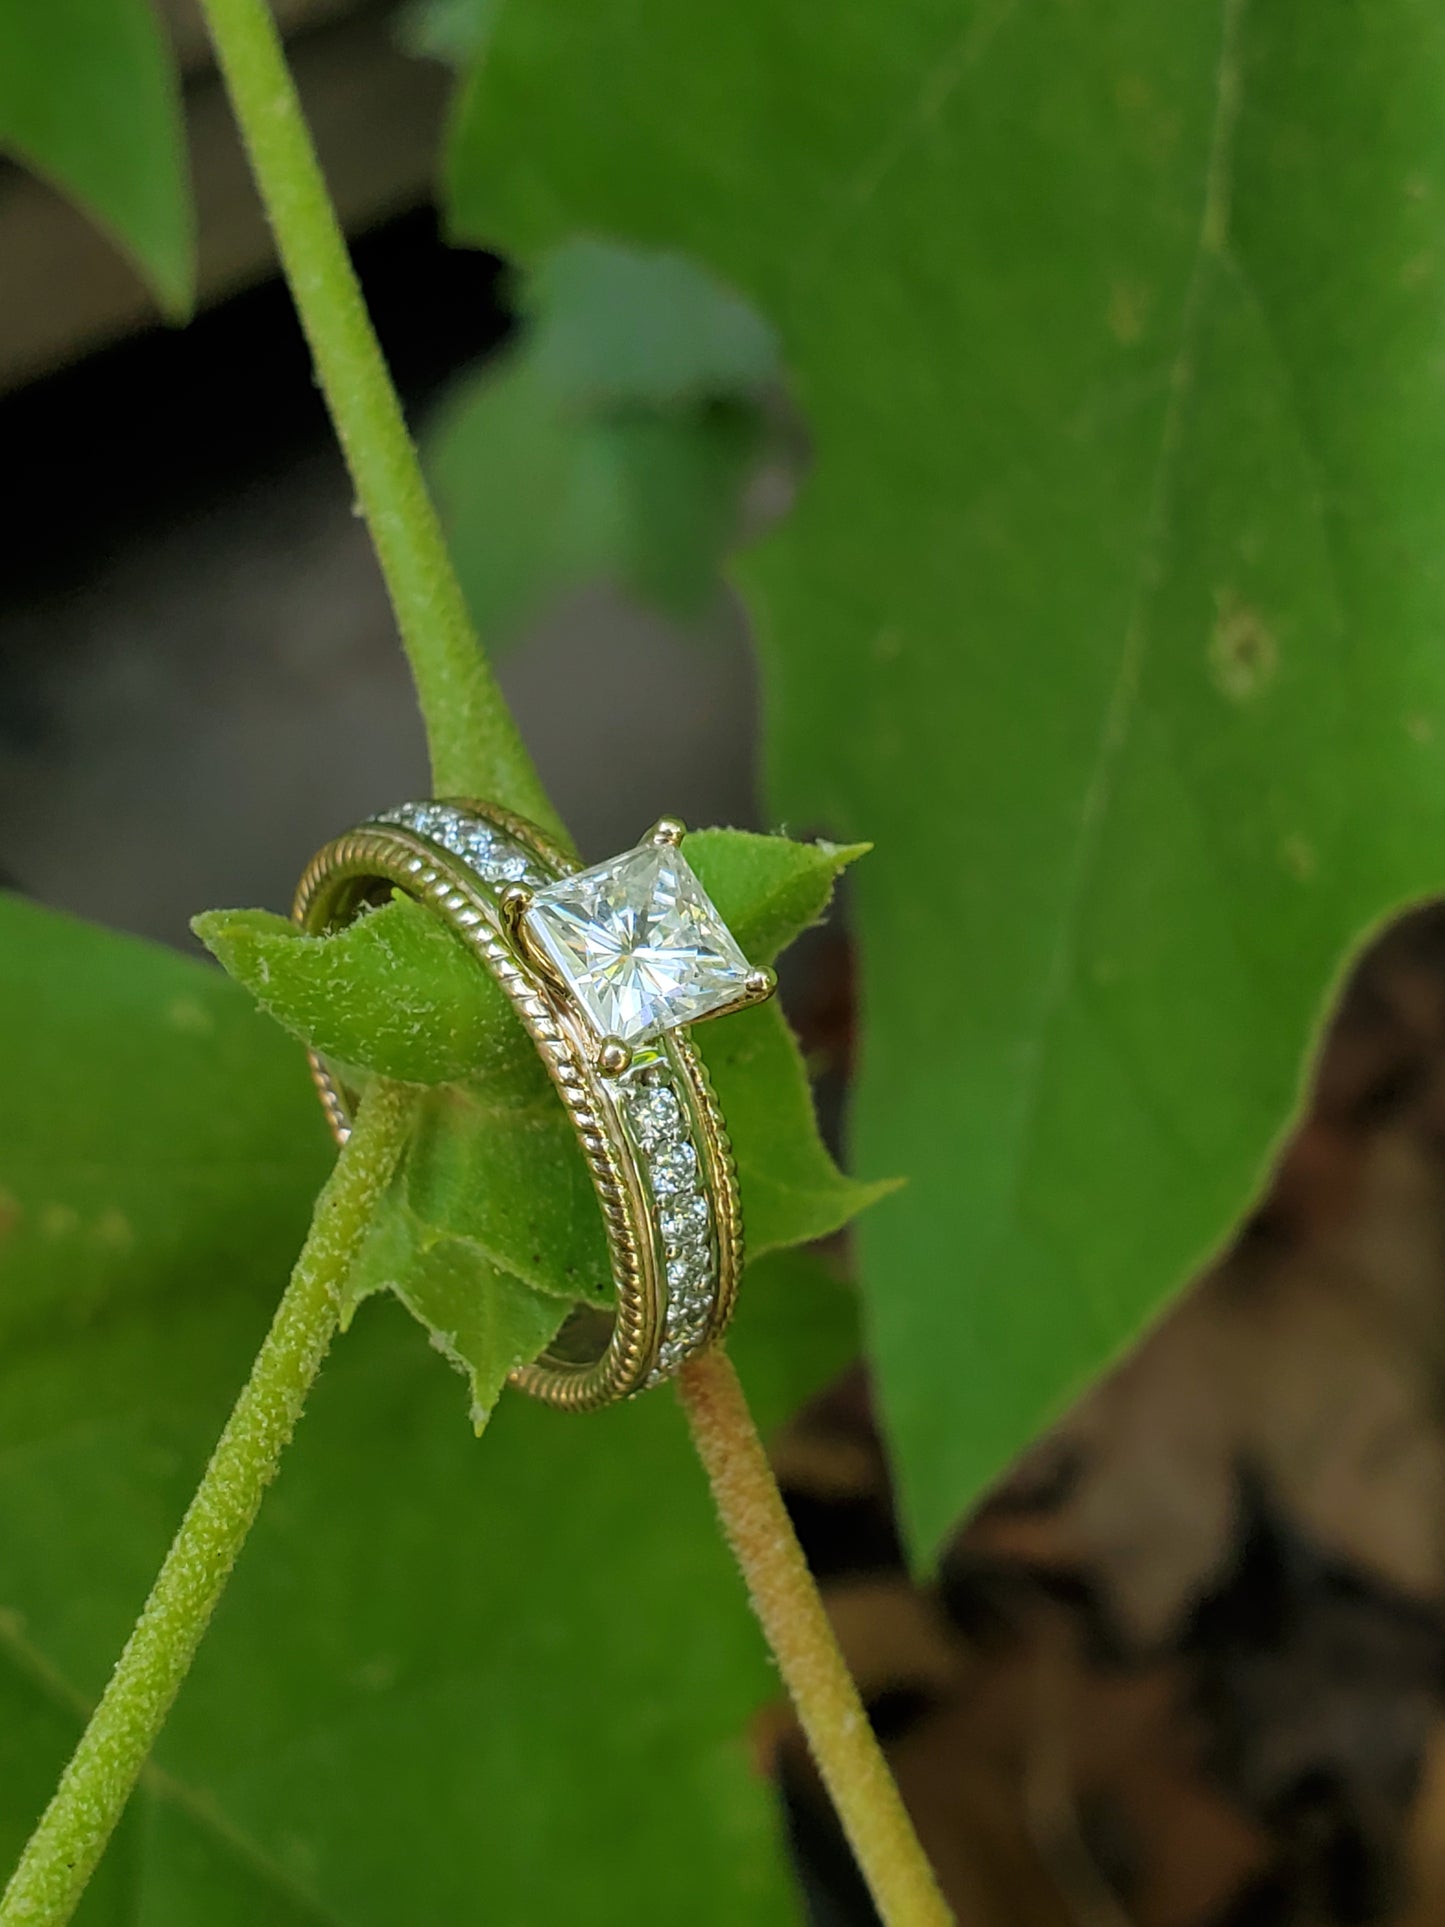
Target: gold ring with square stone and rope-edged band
[(608, 968)]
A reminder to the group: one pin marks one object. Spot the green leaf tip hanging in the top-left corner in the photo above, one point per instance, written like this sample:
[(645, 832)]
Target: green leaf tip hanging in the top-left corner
[(90, 99)]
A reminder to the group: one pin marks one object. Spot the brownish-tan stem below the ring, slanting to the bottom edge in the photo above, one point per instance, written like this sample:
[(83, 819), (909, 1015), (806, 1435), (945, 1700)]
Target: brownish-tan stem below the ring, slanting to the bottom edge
[(797, 1627)]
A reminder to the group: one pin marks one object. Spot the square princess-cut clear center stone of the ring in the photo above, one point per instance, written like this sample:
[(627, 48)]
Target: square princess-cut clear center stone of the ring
[(639, 943)]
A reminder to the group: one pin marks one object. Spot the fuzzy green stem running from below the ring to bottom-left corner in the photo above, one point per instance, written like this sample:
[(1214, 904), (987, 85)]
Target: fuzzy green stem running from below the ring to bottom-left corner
[(97, 1783)]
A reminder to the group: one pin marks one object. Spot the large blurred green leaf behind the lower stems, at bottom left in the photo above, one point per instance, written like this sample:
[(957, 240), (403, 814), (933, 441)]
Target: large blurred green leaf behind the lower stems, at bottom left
[(431, 1645)]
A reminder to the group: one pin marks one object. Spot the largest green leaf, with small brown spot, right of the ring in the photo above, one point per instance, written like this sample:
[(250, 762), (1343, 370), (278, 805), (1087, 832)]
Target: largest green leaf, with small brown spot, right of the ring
[(1113, 610)]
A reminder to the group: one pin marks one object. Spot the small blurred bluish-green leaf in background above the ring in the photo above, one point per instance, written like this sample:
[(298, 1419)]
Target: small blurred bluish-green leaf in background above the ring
[(616, 444)]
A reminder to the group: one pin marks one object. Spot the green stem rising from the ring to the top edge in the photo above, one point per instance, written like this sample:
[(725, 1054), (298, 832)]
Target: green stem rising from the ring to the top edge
[(477, 749)]
